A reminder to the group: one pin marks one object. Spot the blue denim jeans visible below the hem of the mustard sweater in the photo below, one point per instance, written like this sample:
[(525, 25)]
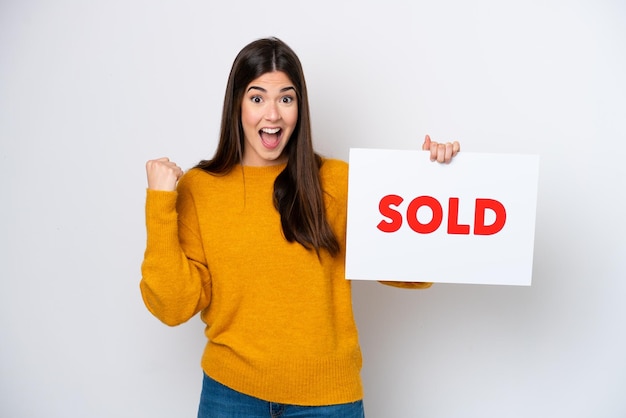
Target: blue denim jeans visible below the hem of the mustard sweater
[(219, 401)]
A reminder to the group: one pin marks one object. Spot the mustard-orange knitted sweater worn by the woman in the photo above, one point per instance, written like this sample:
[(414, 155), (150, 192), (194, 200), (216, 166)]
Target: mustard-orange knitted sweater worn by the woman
[(279, 320)]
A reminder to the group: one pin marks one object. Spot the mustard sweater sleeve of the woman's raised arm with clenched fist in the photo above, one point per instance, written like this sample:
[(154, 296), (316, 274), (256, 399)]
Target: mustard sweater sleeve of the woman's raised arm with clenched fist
[(175, 282)]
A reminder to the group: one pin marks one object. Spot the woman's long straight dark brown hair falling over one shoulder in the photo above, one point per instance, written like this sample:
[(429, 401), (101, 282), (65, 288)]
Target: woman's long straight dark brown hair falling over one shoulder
[(298, 195)]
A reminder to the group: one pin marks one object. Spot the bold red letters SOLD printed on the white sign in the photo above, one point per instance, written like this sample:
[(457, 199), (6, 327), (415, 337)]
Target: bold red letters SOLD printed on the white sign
[(388, 207)]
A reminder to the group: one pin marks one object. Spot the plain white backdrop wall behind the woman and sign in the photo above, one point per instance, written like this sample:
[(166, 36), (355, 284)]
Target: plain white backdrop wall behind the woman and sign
[(90, 90)]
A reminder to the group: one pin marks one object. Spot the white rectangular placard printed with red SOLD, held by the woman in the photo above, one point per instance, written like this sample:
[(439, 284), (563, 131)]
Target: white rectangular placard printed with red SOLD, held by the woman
[(393, 240)]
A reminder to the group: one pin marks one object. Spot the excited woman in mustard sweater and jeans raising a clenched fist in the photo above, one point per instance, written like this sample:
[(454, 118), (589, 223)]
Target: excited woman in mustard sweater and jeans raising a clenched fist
[(254, 239)]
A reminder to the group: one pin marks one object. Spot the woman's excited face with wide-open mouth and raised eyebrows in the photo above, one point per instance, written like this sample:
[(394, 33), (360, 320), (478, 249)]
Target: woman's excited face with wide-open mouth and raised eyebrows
[(269, 114)]
